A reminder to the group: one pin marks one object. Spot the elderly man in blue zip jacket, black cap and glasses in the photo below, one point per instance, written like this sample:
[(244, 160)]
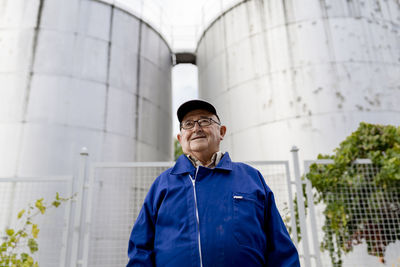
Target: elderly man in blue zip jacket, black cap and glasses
[(207, 210)]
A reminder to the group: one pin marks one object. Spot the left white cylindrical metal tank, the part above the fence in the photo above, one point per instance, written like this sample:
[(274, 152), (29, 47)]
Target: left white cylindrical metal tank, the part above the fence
[(80, 73)]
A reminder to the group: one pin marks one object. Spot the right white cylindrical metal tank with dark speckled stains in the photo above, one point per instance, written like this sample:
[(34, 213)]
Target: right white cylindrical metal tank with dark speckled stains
[(304, 73)]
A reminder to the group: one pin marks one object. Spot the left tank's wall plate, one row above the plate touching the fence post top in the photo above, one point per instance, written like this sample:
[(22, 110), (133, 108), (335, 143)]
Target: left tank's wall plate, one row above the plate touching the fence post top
[(67, 101)]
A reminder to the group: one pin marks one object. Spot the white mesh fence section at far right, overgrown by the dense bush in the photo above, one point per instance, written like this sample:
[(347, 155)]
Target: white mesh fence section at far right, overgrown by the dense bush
[(358, 218)]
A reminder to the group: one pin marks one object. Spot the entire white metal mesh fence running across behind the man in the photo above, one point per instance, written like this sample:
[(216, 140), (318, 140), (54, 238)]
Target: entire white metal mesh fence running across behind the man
[(94, 229)]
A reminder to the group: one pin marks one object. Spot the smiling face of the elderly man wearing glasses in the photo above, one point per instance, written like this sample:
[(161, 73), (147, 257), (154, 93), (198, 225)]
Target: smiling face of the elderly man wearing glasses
[(201, 140)]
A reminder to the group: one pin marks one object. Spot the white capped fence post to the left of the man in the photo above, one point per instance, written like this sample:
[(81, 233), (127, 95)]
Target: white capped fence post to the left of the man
[(78, 210)]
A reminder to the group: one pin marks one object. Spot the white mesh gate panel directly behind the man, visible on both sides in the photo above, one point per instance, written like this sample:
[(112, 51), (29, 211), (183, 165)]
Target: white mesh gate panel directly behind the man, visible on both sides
[(115, 194)]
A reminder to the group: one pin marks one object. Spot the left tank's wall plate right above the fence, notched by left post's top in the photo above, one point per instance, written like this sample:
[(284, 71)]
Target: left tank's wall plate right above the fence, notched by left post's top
[(50, 149)]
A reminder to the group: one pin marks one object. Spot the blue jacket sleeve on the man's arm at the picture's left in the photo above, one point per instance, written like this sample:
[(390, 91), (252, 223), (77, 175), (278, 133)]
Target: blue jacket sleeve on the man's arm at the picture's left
[(141, 241)]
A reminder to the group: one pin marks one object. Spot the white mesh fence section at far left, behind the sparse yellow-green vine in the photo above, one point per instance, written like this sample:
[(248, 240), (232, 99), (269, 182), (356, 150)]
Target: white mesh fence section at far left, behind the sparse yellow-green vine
[(17, 193)]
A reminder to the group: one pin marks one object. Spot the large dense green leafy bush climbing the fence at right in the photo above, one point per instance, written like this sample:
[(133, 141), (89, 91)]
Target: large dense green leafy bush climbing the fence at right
[(357, 208)]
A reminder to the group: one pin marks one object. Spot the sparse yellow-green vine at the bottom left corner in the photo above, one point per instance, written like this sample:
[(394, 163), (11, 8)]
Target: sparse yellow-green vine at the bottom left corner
[(20, 243)]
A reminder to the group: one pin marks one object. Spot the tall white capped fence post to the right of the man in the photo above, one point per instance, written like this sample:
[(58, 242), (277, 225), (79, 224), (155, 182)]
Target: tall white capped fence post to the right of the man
[(300, 206)]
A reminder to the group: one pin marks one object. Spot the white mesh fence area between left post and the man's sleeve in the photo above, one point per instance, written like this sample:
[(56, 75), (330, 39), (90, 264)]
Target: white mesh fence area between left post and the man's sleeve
[(116, 195)]
